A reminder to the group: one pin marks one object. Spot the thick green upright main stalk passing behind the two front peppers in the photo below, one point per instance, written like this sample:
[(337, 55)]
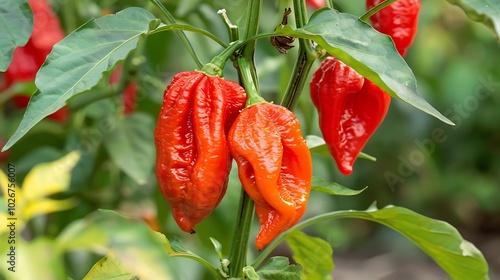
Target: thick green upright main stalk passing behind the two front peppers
[(246, 69)]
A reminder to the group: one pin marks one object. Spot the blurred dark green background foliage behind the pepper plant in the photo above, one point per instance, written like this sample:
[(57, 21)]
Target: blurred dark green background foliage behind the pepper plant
[(456, 178)]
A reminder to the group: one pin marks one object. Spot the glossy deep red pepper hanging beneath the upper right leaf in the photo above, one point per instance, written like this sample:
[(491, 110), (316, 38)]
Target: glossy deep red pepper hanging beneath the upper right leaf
[(350, 109)]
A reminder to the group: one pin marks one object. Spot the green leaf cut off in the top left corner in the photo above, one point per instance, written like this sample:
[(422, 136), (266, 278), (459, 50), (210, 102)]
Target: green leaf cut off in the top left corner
[(16, 23)]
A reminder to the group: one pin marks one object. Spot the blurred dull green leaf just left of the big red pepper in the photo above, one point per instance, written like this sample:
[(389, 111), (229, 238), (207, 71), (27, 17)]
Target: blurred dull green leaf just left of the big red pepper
[(130, 144)]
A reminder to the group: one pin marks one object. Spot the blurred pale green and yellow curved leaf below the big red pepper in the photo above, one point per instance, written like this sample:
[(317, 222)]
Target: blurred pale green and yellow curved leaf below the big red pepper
[(134, 245)]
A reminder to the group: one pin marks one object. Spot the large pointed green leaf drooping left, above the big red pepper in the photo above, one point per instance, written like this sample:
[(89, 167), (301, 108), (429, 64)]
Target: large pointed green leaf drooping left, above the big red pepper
[(77, 63)]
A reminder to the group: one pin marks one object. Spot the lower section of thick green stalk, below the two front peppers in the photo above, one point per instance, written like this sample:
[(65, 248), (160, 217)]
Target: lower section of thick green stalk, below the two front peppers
[(237, 256)]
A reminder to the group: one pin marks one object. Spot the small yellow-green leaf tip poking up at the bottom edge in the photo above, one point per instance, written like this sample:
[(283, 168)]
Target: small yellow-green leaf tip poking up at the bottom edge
[(109, 268)]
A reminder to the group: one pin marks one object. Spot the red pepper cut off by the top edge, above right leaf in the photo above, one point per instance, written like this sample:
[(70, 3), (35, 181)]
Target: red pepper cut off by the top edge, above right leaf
[(398, 20)]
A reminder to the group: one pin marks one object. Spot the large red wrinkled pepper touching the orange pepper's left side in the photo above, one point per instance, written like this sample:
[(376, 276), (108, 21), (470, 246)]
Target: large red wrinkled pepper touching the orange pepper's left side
[(192, 158)]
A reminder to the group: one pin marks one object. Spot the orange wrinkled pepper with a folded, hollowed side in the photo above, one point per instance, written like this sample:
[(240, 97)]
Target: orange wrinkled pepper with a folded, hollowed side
[(274, 166)]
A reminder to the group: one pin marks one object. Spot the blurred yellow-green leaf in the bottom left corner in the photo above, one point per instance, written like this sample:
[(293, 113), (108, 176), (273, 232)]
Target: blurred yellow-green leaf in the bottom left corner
[(39, 255)]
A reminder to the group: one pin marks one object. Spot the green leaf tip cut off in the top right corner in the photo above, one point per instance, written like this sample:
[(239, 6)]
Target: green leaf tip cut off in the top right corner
[(486, 12)]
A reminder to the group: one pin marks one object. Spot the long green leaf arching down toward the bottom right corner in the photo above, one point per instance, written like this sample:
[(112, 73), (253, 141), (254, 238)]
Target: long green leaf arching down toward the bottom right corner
[(442, 242)]
